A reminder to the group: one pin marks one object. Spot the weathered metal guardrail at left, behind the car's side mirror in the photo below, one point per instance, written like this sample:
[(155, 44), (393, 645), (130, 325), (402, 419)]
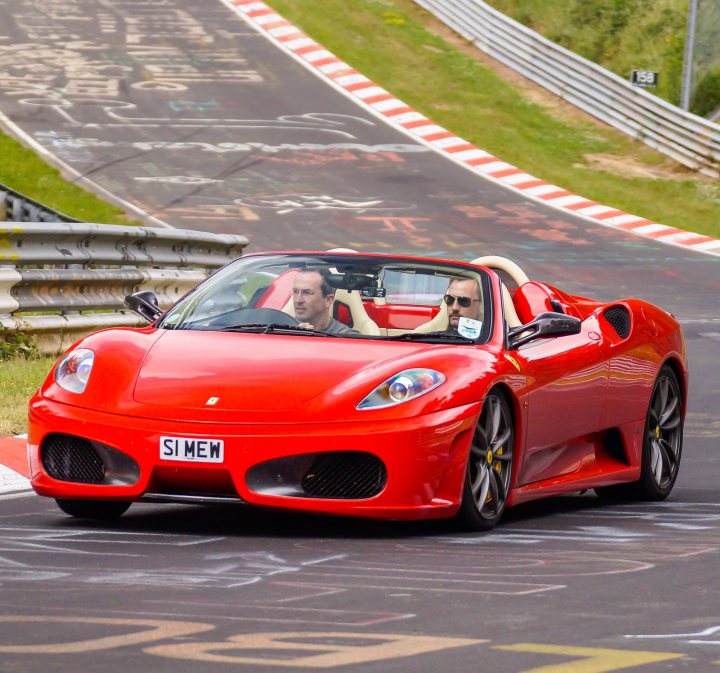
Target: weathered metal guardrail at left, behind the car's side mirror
[(51, 274)]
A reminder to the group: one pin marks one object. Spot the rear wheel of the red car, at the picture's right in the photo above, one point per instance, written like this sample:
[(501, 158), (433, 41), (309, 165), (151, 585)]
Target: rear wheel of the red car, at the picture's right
[(662, 444)]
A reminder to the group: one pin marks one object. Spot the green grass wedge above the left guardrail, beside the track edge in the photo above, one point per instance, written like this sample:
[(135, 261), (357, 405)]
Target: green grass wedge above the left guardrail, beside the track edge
[(25, 172)]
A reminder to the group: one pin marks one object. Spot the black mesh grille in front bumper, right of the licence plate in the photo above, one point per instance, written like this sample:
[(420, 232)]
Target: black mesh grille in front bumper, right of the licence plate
[(345, 474)]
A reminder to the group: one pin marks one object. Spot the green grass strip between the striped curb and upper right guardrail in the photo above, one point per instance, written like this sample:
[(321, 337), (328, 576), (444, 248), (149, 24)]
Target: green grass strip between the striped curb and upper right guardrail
[(391, 42)]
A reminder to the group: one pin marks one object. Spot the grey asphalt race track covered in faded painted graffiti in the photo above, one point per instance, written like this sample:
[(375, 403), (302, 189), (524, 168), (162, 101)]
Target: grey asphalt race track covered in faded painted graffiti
[(185, 111)]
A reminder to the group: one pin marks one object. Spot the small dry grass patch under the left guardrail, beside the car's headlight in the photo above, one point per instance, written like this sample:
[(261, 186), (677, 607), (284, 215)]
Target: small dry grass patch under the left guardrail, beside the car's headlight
[(19, 379)]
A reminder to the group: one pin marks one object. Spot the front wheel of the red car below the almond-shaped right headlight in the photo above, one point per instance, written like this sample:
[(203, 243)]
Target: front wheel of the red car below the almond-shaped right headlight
[(489, 467)]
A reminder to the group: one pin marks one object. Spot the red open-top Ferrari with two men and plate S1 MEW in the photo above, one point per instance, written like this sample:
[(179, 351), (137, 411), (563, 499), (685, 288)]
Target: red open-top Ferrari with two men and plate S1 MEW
[(367, 385)]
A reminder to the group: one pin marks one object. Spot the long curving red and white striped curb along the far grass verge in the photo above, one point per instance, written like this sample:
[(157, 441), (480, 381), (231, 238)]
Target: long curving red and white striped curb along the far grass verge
[(383, 104)]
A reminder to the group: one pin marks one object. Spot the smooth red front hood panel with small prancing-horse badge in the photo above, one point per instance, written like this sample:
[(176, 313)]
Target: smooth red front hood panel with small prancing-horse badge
[(250, 372)]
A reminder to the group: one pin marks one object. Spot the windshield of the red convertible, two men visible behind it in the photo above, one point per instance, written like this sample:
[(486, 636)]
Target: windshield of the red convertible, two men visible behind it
[(343, 296)]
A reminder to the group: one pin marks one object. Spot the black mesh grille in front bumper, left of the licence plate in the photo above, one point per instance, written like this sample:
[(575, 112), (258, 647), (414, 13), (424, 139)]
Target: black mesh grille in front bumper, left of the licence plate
[(69, 458)]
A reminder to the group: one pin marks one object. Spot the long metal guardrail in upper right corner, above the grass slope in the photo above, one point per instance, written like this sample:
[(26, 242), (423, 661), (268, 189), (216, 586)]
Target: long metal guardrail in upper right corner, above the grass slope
[(687, 138)]
